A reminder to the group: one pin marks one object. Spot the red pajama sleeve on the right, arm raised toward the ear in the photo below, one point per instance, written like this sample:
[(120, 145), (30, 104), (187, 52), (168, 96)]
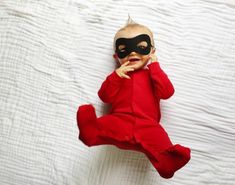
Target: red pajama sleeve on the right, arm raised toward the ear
[(162, 85)]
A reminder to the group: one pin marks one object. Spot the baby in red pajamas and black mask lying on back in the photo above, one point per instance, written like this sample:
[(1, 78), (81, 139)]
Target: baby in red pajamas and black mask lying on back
[(134, 91)]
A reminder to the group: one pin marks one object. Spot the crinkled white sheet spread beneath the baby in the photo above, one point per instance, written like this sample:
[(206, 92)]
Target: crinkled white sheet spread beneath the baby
[(54, 56)]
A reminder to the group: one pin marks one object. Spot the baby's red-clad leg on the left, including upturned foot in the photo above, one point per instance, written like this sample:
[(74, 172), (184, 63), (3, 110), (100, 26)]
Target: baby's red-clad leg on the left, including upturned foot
[(113, 129)]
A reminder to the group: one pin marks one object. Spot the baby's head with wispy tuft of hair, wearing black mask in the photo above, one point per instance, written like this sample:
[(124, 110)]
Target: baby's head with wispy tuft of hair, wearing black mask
[(134, 42)]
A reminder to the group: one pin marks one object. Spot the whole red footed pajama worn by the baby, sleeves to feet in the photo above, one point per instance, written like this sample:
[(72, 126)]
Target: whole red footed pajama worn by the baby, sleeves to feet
[(133, 122)]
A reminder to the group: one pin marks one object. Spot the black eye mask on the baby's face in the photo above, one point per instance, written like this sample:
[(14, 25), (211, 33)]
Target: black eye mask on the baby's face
[(132, 44)]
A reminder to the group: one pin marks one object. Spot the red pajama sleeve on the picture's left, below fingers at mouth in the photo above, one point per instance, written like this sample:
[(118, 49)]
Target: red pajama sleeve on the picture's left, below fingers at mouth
[(110, 88)]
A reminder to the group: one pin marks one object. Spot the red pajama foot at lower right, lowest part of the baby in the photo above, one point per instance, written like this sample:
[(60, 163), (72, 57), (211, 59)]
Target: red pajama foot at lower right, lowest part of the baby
[(171, 160)]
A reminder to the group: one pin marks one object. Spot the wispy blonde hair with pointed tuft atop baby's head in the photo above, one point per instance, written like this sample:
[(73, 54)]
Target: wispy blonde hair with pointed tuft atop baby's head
[(132, 24)]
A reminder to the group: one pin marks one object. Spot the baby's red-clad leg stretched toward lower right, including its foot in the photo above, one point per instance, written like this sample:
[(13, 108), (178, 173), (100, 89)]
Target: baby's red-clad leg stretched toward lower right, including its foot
[(165, 157)]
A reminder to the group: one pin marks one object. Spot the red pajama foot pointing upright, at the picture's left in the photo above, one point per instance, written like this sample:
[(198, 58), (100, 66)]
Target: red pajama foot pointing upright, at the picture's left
[(86, 122)]
